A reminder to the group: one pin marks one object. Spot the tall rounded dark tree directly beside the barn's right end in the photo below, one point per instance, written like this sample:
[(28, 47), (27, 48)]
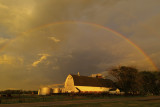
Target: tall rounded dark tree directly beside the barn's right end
[(125, 78)]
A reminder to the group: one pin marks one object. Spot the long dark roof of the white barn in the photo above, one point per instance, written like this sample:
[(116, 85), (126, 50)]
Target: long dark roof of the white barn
[(91, 81)]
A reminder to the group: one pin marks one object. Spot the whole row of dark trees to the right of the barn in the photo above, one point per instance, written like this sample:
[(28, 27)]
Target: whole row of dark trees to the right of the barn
[(132, 81)]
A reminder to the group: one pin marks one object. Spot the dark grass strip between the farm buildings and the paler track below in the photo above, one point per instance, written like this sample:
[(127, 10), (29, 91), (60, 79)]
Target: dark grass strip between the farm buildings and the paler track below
[(35, 98)]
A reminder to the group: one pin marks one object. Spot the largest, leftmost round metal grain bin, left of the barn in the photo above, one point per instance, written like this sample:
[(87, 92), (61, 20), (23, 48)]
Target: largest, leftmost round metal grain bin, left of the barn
[(45, 91)]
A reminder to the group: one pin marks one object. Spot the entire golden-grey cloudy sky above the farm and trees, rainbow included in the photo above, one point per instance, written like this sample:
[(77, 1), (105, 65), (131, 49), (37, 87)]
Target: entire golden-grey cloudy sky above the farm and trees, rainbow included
[(42, 41)]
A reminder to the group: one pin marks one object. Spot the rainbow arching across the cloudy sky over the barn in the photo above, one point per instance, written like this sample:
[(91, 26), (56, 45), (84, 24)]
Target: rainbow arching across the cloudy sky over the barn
[(101, 27)]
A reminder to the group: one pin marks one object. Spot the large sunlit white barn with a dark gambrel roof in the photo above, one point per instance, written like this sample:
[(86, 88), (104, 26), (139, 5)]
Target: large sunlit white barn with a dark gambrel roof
[(85, 84)]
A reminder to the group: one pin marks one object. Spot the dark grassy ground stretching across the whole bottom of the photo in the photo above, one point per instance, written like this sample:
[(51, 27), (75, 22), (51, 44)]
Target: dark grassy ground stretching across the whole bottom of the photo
[(110, 101)]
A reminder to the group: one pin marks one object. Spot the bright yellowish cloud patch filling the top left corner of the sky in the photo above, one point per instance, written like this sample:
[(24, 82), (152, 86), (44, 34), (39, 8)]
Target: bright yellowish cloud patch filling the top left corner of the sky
[(16, 16)]
